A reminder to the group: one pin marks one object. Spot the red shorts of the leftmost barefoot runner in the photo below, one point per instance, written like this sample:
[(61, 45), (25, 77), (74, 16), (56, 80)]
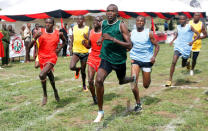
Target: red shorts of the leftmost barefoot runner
[(43, 61)]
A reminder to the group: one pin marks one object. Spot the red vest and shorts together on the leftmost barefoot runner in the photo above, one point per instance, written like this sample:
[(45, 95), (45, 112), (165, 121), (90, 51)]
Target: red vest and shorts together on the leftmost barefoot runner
[(48, 43)]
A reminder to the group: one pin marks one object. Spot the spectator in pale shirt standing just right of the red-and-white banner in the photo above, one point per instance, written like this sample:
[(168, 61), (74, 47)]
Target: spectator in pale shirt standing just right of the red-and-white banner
[(27, 36)]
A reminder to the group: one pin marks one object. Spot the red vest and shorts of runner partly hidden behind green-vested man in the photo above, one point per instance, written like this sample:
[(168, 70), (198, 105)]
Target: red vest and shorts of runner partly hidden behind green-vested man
[(93, 58)]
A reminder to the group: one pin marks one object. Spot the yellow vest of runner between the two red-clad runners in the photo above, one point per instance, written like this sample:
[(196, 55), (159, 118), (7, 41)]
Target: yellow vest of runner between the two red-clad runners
[(78, 47)]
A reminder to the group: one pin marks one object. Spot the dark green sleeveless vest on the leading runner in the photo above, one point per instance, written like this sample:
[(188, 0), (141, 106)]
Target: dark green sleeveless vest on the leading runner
[(113, 52)]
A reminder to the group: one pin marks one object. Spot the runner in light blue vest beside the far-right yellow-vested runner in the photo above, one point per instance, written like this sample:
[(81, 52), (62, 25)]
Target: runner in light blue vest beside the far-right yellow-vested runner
[(182, 45)]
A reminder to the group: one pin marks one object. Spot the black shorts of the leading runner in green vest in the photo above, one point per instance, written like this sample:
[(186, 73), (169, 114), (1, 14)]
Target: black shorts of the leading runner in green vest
[(120, 69)]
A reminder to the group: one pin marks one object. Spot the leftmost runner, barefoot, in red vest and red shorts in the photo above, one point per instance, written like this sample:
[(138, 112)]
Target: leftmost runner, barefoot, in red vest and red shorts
[(48, 39)]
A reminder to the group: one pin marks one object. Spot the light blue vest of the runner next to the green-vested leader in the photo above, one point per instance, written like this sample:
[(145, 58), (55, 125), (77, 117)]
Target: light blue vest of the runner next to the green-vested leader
[(142, 49)]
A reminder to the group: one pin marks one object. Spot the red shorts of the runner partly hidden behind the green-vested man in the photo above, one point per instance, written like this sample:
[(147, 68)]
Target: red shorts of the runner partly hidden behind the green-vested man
[(94, 62)]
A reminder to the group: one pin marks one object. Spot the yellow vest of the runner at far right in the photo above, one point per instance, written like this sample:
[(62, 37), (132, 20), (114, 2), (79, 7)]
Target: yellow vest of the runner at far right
[(198, 27)]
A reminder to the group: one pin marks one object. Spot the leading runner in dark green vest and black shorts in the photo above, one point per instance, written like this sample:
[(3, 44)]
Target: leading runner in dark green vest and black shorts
[(115, 43)]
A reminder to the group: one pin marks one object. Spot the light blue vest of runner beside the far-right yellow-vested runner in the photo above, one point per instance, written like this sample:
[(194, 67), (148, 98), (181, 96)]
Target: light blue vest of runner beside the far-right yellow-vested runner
[(181, 44)]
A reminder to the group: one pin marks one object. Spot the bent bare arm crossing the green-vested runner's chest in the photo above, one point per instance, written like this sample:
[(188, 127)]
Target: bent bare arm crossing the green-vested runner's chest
[(124, 30)]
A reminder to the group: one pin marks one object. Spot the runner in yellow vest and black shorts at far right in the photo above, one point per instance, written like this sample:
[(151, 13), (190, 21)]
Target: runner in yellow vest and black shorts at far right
[(199, 27)]
